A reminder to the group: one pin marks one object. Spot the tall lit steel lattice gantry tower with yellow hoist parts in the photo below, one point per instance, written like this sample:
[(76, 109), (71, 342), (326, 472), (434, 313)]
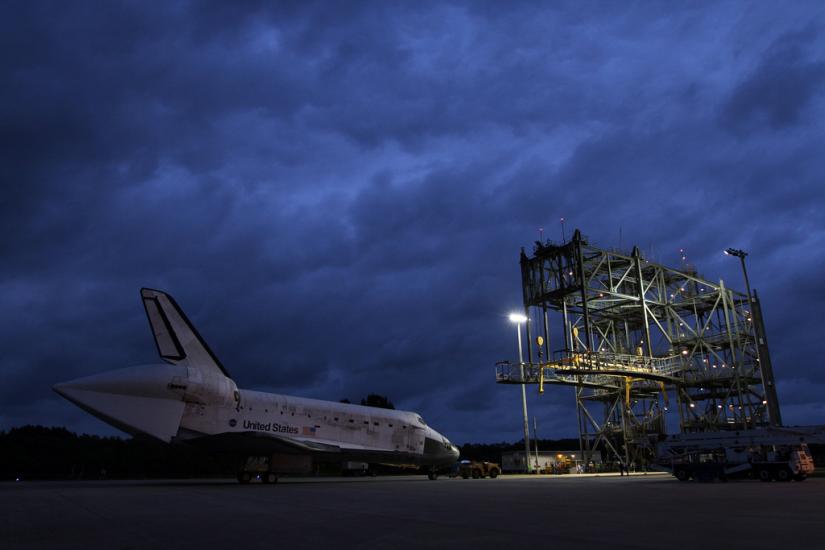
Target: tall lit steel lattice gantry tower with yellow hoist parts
[(640, 338)]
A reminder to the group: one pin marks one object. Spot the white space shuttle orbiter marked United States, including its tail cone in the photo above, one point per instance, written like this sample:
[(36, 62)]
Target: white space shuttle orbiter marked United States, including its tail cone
[(193, 399)]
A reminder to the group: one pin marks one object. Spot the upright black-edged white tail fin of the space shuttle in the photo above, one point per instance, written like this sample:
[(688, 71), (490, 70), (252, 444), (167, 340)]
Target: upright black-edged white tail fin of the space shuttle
[(176, 338)]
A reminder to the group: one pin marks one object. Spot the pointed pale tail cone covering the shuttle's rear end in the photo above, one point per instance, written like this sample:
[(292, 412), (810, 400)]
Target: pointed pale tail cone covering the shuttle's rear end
[(135, 400)]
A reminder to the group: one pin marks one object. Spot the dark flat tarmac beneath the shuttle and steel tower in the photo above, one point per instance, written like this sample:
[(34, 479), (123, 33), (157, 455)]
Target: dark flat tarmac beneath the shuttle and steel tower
[(559, 512)]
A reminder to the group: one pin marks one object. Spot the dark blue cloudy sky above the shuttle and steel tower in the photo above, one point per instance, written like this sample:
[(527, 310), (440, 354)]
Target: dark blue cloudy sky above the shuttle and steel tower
[(337, 192)]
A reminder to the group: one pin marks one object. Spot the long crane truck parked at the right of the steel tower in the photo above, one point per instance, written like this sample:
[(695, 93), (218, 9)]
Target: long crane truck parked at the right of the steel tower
[(767, 453)]
